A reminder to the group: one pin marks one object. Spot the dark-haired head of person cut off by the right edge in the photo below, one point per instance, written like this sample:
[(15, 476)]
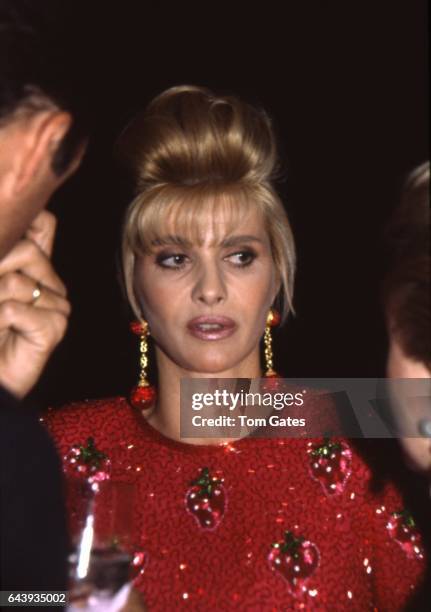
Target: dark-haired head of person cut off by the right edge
[(406, 300)]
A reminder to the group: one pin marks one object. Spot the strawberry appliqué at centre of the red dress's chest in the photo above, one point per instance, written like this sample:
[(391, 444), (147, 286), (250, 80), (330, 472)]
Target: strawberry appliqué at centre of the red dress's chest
[(206, 500)]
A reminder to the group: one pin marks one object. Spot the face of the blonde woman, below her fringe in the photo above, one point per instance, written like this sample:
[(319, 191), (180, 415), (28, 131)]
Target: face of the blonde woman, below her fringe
[(206, 305)]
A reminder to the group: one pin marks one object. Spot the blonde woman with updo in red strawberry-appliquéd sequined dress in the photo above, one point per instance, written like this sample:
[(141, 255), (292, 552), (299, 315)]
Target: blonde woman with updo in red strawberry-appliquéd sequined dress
[(209, 263)]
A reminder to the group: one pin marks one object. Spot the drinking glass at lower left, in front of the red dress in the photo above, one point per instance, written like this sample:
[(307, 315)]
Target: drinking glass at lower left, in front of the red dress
[(104, 558)]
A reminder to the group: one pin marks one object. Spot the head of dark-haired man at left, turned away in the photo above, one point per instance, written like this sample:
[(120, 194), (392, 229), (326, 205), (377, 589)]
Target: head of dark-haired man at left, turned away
[(43, 113)]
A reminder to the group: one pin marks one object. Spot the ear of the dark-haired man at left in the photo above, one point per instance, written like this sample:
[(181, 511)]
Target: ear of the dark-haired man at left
[(42, 135)]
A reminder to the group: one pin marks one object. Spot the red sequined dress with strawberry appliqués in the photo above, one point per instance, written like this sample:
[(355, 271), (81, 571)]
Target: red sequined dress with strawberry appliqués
[(256, 525)]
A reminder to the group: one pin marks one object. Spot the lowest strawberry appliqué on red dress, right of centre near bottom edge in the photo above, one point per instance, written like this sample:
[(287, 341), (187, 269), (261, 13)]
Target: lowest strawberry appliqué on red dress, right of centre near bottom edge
[(295, 559)]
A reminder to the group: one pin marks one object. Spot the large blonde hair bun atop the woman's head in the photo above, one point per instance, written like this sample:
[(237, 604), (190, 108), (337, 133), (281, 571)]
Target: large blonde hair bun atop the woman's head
[(188, 136)]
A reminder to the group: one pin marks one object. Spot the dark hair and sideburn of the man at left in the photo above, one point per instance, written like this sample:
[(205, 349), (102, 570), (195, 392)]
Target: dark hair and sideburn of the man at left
[(41, 66)]
